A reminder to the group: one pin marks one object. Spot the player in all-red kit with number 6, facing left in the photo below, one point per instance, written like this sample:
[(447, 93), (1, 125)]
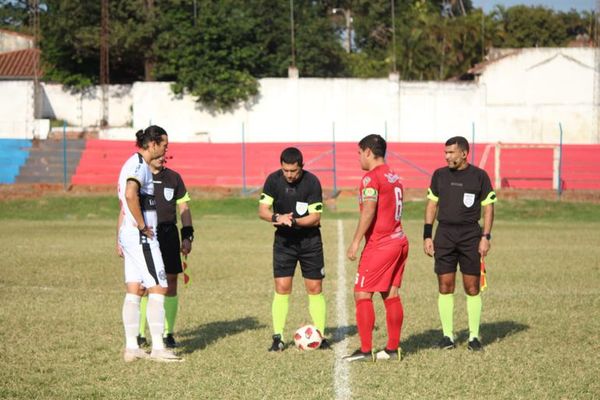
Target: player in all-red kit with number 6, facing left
[(386, 248)]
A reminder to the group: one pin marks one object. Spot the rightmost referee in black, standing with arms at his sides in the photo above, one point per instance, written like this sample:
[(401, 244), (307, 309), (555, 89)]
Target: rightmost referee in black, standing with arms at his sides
[(458, 194)]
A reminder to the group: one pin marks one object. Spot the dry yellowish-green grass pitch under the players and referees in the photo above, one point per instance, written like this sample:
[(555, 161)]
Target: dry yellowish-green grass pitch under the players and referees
[(62, 293)]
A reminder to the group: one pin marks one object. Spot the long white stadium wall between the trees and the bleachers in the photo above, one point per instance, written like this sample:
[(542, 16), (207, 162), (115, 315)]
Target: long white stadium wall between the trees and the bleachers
[(520, 98)]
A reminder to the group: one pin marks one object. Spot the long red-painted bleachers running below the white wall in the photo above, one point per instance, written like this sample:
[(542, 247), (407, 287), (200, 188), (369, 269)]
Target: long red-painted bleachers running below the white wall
[(222, 164)]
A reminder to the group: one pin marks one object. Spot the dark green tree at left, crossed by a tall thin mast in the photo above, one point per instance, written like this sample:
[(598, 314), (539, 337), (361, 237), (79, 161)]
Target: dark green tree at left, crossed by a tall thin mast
[(71, 41)]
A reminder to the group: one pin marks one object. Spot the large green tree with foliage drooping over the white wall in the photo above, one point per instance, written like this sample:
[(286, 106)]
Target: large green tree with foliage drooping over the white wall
[(218, 56)]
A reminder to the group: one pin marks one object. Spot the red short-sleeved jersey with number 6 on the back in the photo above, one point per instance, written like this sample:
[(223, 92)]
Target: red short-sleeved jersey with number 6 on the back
[(383, 186)]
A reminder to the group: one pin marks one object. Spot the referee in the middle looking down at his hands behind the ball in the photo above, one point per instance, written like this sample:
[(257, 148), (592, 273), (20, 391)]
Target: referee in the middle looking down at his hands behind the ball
[(292, 201)]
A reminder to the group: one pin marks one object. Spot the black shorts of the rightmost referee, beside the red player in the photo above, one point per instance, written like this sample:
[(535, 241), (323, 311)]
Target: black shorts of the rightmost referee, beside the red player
[(457, 244)]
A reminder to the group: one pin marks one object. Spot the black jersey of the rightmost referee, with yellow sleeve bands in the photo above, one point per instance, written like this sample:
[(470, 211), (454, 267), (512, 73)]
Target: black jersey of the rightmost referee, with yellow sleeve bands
[(460, 194)]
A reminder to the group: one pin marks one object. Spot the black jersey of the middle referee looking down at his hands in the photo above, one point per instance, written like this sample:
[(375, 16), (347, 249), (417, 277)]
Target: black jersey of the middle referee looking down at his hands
[(300, 198)]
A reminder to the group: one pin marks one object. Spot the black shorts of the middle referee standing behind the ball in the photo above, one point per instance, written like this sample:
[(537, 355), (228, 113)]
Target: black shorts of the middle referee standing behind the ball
[(306, 249)]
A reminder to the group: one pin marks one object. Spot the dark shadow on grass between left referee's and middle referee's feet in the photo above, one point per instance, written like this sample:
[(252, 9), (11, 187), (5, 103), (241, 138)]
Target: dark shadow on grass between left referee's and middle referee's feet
[(207, 334)]
